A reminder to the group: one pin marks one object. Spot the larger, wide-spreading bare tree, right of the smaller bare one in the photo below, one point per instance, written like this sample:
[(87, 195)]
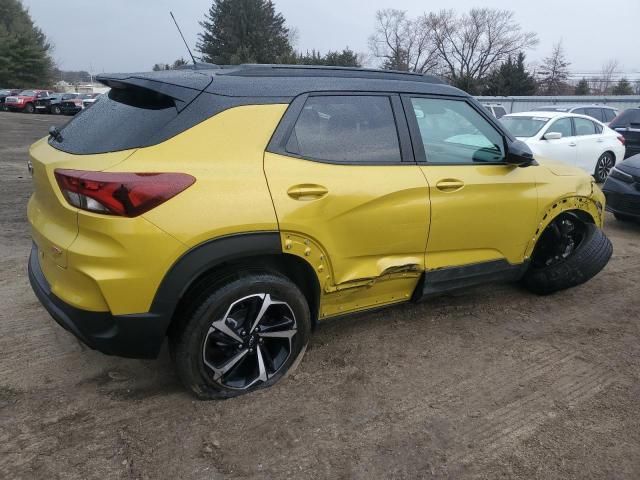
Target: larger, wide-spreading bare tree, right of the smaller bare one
[(472, 44)]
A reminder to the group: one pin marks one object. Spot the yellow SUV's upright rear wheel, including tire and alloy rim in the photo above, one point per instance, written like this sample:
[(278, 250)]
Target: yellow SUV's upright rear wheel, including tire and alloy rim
[(240, 335)]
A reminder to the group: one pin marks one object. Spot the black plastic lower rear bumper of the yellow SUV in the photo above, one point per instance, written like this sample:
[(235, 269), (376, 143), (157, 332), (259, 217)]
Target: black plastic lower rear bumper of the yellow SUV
[(132, 336)]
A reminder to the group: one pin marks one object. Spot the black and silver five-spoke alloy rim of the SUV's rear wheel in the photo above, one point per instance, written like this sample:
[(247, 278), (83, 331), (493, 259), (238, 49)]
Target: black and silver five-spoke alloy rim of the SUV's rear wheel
[(250, 343)]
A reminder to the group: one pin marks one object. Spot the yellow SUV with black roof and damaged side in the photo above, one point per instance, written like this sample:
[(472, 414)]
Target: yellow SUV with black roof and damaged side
[(232, 209)]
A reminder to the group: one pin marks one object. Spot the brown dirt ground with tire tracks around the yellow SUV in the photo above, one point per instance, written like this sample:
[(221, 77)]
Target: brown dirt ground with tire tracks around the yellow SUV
[(492, 382)]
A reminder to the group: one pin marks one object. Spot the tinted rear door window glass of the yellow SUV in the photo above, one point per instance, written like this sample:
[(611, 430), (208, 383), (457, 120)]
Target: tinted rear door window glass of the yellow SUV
[(346, 129)]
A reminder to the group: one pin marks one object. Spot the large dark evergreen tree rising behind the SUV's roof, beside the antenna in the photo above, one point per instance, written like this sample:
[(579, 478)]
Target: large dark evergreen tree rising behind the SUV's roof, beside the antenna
[(244, 31)]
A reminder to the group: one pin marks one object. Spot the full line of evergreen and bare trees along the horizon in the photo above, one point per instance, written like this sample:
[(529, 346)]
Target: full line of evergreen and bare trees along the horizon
[(482, 51)]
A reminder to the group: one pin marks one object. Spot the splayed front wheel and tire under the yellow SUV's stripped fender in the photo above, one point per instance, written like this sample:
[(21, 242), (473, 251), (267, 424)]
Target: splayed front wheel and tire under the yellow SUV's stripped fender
[(550, 272)]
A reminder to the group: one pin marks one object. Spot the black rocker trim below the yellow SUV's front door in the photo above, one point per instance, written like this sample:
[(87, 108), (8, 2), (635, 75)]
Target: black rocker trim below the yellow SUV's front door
[(435, 282)]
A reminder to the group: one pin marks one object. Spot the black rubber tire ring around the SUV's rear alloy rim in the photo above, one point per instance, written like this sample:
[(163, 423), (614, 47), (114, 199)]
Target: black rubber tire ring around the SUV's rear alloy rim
[(212, 306)]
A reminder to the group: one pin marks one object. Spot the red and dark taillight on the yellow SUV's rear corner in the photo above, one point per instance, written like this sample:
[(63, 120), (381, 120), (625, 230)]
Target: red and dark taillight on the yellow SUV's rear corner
[(123, 194)]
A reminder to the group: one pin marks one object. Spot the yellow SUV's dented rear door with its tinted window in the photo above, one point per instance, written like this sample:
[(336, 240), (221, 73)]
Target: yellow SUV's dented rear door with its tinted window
[(341, 172)]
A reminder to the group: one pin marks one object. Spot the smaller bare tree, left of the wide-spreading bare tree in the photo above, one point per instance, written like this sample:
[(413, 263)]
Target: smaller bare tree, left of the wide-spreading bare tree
[(403, 43)]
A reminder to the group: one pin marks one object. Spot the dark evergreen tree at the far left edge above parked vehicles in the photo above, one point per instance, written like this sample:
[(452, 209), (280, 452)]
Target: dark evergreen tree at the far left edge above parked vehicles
[(24, 51)]
